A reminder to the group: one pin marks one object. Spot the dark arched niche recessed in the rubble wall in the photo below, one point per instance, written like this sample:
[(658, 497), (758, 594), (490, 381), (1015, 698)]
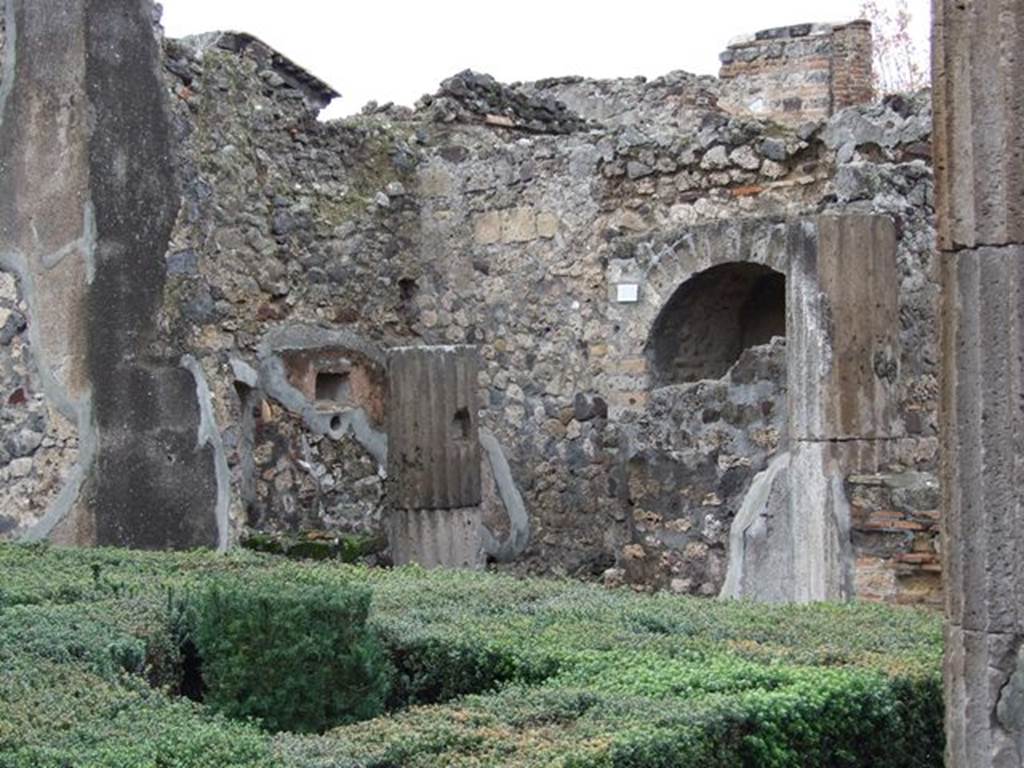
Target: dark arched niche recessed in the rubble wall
[(713, 318)]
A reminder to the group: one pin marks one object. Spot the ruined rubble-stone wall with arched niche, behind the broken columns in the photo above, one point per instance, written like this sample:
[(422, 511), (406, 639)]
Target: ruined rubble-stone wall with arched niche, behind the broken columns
[(550, 226)]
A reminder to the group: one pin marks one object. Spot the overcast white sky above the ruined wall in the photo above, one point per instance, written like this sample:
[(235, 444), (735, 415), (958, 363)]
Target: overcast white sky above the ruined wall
[(397, 52)]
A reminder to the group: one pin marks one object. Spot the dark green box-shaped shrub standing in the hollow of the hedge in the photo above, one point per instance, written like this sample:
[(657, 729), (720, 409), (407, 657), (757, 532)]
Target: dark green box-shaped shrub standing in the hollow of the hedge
[(296, 656)]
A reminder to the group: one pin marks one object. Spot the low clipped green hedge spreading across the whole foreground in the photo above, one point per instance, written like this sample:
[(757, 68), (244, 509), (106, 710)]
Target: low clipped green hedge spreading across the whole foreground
[(490, 671)]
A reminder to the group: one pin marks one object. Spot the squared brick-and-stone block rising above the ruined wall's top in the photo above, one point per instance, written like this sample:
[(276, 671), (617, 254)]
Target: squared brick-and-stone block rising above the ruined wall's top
[(794, 74)]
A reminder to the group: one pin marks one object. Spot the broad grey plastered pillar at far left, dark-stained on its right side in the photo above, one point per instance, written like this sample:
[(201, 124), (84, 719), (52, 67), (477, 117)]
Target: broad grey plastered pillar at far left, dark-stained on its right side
[(89, 200)]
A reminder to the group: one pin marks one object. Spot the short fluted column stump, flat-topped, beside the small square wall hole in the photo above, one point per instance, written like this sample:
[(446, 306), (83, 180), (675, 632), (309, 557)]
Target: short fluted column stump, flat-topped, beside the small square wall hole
[(435, 457)]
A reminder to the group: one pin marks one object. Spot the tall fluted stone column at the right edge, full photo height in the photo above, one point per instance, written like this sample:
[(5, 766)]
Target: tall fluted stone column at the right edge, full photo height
[(978, 77)]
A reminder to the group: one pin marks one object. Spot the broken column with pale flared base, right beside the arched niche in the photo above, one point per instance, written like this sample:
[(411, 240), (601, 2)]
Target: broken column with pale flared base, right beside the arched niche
[(791, 539)]
